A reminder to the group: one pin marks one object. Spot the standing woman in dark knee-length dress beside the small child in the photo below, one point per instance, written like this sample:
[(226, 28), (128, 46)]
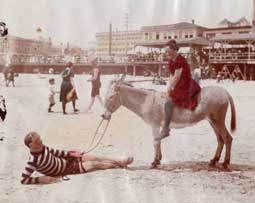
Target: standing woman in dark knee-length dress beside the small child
[(67, 90)]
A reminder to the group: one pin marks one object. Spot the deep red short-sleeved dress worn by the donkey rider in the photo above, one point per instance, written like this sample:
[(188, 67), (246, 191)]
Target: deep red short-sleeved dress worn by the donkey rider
[(186, 90)]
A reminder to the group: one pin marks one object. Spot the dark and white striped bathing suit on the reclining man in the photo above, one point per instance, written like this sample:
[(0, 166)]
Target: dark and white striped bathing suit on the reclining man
[(51, 162)]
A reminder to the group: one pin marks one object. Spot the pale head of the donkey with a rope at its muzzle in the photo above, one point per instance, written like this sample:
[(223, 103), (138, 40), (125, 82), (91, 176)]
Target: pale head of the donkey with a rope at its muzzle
[(112, 98)]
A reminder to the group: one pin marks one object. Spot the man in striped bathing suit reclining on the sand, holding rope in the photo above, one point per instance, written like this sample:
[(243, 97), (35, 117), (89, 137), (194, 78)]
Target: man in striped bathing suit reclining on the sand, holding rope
[(54, 164)]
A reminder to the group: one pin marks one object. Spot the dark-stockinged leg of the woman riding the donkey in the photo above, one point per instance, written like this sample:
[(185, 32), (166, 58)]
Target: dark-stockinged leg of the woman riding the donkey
[(168, 116)]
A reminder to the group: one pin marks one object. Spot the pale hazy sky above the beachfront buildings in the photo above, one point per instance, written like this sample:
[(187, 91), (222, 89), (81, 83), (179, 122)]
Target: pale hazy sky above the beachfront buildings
[(77, 21)]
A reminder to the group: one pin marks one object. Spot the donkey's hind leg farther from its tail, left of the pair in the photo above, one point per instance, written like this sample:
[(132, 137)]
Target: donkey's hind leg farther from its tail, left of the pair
[(220, 144)]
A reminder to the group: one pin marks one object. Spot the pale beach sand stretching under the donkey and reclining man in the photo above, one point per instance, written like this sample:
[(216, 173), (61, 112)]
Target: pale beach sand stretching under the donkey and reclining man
[(183, 177)]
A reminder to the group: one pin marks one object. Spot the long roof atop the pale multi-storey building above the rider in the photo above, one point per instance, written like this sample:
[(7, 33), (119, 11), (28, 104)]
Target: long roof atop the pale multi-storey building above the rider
[(183, 25)]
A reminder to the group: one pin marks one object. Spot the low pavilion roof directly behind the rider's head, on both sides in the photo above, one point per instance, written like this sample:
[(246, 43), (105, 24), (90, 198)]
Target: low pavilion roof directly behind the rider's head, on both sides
[(199, 41)]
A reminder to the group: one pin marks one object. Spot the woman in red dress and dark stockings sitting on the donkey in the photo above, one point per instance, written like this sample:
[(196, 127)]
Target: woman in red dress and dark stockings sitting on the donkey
[(182, 90)]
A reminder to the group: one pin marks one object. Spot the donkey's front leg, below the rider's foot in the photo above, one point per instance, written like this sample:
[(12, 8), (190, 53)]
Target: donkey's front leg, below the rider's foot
[(157, 147)]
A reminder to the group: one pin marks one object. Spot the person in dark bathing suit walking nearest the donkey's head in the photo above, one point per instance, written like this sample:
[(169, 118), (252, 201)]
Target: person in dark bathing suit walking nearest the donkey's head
[(96, 85)]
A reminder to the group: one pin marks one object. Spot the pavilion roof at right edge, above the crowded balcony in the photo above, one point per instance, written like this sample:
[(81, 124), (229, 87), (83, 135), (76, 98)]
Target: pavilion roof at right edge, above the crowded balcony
[(234, 38)]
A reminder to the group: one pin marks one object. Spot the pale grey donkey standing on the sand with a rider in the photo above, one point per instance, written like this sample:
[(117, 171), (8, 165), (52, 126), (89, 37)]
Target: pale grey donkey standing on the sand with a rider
[(149, 105)]
